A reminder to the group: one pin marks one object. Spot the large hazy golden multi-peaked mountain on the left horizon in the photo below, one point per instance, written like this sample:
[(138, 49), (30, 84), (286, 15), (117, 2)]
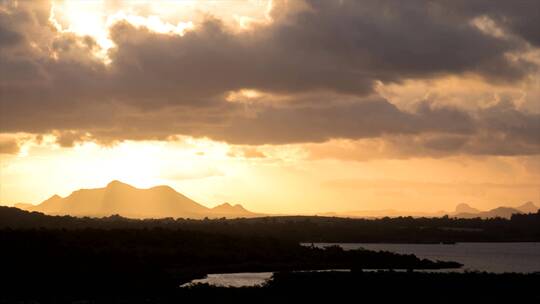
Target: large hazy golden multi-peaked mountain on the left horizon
[(123, 199)]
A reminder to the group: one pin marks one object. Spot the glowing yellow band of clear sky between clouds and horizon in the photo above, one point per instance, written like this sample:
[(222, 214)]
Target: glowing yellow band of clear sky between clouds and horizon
[(282, 179)]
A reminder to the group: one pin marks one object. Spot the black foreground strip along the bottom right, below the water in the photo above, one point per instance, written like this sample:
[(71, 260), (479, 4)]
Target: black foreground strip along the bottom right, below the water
[(379, 287)]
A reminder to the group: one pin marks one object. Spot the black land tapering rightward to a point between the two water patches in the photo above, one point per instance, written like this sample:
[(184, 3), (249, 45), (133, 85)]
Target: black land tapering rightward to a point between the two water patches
[(98, 260)]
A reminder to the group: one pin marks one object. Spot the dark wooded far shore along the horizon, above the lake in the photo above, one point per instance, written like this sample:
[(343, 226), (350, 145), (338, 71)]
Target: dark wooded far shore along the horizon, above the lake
[(519, 228)]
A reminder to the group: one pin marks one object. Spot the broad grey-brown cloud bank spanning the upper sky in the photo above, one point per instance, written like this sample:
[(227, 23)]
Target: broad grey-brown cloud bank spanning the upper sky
[(160, 85)]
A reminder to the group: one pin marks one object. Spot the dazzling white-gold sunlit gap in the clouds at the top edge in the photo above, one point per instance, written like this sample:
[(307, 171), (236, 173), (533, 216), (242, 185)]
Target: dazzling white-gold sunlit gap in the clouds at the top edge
[(95, 18)]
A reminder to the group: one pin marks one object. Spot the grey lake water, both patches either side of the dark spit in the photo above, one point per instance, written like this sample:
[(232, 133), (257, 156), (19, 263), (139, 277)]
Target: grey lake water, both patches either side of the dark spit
[(490, 257)]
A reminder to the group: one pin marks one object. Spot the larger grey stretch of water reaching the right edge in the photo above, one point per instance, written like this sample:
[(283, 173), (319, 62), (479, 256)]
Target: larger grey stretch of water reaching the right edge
[(490, 257)]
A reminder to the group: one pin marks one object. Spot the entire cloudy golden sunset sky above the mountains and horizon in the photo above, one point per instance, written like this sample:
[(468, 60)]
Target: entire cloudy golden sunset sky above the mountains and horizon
[(282, 106)]
